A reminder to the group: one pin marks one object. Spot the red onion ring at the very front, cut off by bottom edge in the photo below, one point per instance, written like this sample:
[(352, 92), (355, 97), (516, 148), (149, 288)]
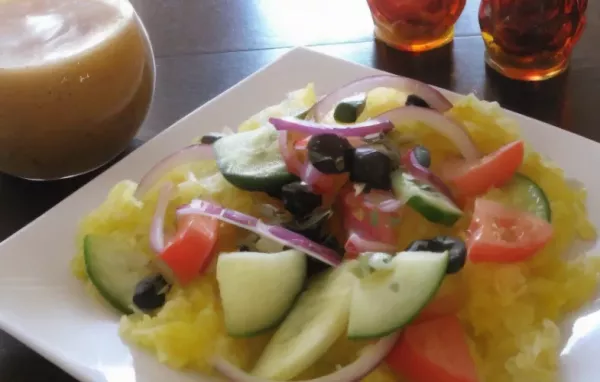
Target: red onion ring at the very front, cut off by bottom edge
[(354, 372)]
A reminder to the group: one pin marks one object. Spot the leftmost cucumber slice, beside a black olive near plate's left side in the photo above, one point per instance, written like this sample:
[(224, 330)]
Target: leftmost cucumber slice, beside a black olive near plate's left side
[(114, 268)]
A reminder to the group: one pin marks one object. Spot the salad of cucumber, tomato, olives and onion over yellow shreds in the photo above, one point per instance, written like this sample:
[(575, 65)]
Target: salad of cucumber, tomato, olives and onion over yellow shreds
[(378, 233)]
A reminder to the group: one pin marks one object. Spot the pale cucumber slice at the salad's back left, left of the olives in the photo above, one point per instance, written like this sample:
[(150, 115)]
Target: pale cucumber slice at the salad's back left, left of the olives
[(251, 160)]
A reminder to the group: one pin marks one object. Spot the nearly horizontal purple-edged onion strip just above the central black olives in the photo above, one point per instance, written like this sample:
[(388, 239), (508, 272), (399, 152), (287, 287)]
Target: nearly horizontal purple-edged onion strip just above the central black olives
[(369, 127)]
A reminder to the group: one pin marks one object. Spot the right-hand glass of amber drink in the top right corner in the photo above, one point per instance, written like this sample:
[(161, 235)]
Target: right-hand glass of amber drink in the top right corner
[(531, 39)]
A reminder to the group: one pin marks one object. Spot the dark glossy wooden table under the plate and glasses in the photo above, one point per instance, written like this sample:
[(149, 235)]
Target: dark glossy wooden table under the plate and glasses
[(203, 47)]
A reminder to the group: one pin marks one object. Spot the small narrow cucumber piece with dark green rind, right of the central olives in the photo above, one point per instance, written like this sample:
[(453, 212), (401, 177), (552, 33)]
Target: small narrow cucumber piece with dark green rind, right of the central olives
[(425, 199)]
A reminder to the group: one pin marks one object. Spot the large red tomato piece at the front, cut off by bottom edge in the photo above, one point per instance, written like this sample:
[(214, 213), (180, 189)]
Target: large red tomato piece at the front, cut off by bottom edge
[(434, 351)]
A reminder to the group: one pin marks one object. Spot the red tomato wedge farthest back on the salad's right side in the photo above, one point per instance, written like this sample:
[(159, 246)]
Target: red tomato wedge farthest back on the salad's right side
[(474, 178)]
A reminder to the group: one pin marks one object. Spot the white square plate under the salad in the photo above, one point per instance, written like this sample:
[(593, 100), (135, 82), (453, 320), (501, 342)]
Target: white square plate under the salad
[(42, 304)]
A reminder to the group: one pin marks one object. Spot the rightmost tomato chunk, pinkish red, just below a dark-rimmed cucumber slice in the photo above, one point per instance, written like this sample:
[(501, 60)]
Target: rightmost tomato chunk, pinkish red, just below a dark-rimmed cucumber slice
[(500, 234)]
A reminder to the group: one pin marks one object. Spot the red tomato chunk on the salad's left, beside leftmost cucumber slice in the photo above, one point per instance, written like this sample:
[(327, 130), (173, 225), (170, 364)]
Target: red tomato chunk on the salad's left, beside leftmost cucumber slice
[(190, 251)]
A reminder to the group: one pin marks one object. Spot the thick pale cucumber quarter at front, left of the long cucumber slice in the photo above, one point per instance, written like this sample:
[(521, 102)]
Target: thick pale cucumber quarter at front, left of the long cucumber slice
[(258, 289)]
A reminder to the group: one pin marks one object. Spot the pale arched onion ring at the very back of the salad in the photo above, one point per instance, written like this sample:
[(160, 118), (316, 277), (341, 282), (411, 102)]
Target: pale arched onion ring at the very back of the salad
[(434, 98)]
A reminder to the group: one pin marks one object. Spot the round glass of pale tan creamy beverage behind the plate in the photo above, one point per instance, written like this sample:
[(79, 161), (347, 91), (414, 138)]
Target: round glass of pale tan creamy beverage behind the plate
[(77, 80)]
